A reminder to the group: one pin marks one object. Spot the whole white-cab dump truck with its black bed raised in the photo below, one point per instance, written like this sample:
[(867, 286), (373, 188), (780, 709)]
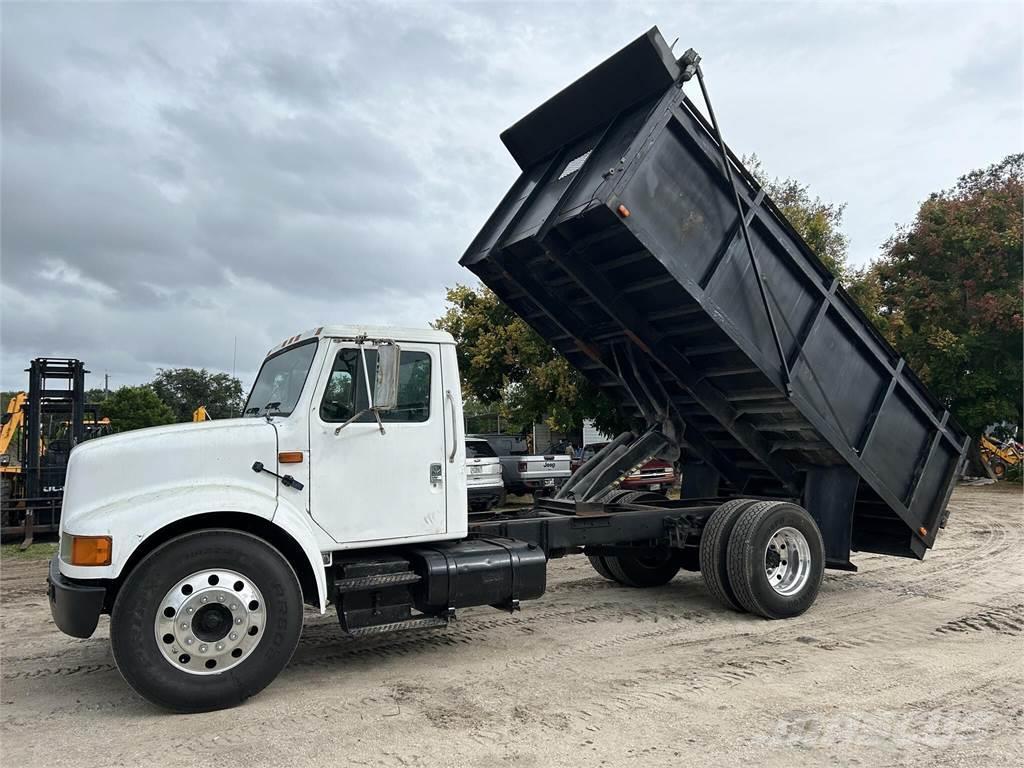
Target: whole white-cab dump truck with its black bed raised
[(636, 244)]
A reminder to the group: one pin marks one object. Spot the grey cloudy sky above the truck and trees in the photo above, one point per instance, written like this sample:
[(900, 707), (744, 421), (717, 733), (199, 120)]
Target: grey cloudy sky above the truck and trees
[(179, 177)]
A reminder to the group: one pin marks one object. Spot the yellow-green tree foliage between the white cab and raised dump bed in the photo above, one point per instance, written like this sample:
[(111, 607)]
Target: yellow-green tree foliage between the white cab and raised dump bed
[(505, 364)]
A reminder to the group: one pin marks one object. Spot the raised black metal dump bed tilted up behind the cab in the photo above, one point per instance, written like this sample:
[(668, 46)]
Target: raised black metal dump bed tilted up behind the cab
[(622, 245)]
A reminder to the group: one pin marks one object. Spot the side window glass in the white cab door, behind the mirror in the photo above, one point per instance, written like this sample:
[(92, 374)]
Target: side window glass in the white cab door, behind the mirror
[(347, 390)]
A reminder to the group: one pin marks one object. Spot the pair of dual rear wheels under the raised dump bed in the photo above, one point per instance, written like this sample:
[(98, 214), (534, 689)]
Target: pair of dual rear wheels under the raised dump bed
[(763, 558)]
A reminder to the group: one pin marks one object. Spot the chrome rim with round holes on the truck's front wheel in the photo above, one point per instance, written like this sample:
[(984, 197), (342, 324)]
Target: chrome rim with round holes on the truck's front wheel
[(210, 622)]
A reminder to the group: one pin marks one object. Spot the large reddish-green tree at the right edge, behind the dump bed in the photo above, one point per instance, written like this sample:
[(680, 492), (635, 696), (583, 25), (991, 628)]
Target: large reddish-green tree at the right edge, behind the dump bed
[(949, 289)]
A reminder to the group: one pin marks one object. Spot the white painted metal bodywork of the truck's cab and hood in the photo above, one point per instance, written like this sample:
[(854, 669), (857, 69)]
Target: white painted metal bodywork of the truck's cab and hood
[(377, 490)]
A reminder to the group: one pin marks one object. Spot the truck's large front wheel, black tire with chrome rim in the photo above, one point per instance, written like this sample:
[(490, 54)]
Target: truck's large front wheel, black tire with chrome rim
[(206, 621)]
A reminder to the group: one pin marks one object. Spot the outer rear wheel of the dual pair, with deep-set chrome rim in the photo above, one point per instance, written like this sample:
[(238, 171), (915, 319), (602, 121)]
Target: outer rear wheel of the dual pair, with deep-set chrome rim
[(777, 560)]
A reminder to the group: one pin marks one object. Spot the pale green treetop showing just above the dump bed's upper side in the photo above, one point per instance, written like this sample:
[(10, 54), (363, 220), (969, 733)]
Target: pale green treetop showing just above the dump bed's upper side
[(820, 224)]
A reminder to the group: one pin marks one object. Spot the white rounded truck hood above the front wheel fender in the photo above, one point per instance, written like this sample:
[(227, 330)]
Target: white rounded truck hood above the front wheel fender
[(119, 470)]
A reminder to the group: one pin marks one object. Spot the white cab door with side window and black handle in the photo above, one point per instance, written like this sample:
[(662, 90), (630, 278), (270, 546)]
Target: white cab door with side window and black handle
[(369, 487)]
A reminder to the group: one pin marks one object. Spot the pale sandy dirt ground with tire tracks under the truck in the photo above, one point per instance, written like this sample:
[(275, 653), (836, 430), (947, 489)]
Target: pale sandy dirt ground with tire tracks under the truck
[(905, 663)]
